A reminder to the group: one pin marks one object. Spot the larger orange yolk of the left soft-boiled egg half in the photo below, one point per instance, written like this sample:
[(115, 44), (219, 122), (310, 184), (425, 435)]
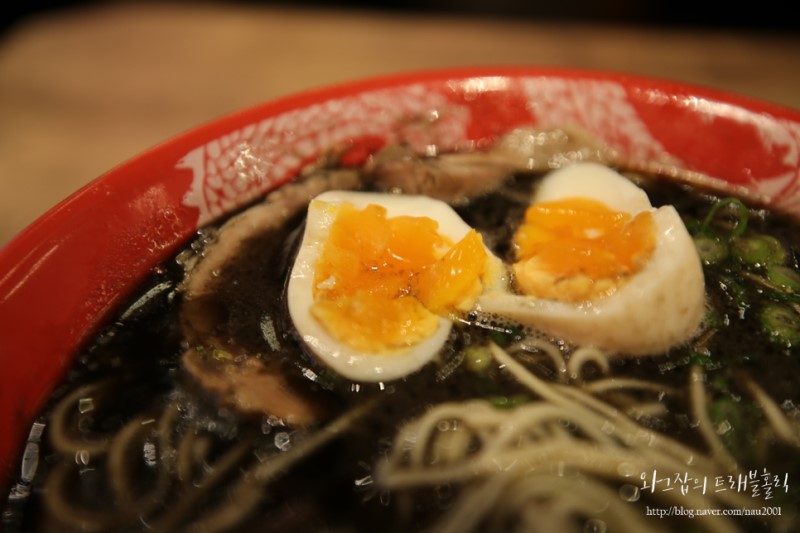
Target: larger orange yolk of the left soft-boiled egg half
[(381, 283)]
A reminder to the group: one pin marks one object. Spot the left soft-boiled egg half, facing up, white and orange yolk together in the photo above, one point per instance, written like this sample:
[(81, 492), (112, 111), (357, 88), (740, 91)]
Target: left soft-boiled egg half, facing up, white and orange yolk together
[(377, 278)]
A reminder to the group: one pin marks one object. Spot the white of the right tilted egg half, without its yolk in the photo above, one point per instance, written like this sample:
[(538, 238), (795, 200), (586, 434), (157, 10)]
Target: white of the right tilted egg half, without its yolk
[(660, 306)]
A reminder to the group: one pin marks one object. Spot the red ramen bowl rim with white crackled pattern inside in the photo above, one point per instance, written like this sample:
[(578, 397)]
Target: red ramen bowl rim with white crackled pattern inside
[(65, 274)]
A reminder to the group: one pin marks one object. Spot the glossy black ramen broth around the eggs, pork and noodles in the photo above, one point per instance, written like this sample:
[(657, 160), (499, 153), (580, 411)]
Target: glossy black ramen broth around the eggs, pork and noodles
[(332, 488)]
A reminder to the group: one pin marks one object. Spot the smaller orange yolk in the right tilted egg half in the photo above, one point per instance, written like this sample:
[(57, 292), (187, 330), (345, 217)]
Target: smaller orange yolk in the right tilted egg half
[(578, 249)]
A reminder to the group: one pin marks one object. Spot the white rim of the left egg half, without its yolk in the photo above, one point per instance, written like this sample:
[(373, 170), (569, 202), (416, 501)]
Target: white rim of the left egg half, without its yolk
[(353, 364)]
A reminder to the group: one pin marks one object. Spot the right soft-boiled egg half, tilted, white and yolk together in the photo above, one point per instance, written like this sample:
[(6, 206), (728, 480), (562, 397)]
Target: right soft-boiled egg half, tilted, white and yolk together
[(597, 265)]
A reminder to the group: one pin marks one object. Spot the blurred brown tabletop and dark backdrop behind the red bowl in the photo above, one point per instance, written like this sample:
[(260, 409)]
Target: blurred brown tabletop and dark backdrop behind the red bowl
[(87, 85)]
